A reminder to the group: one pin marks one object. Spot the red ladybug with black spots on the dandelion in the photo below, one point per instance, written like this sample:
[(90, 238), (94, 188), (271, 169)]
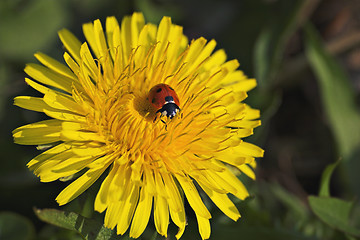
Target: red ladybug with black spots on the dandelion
[(163, 98)]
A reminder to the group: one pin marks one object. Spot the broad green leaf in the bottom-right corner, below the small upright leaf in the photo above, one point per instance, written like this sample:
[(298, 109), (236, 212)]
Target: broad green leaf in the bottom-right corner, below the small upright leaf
[(334, 212)]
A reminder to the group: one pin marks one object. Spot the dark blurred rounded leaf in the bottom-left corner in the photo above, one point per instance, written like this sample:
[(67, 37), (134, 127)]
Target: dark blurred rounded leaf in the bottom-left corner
[(14, 226)]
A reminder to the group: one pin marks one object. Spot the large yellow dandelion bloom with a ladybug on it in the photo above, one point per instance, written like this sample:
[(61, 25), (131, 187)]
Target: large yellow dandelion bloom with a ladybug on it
[(101, 120)]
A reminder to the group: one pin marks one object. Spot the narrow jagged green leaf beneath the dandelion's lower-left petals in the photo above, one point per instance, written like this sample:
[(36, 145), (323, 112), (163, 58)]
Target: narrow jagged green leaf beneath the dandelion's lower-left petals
[(87, 228)]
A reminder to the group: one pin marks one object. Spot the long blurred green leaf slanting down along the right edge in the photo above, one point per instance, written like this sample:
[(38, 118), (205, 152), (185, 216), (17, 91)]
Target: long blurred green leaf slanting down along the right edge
[(337, 95)]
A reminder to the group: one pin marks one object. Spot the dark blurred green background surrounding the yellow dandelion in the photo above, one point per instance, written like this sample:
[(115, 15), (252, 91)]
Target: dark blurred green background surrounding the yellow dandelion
[(306, 58)]
